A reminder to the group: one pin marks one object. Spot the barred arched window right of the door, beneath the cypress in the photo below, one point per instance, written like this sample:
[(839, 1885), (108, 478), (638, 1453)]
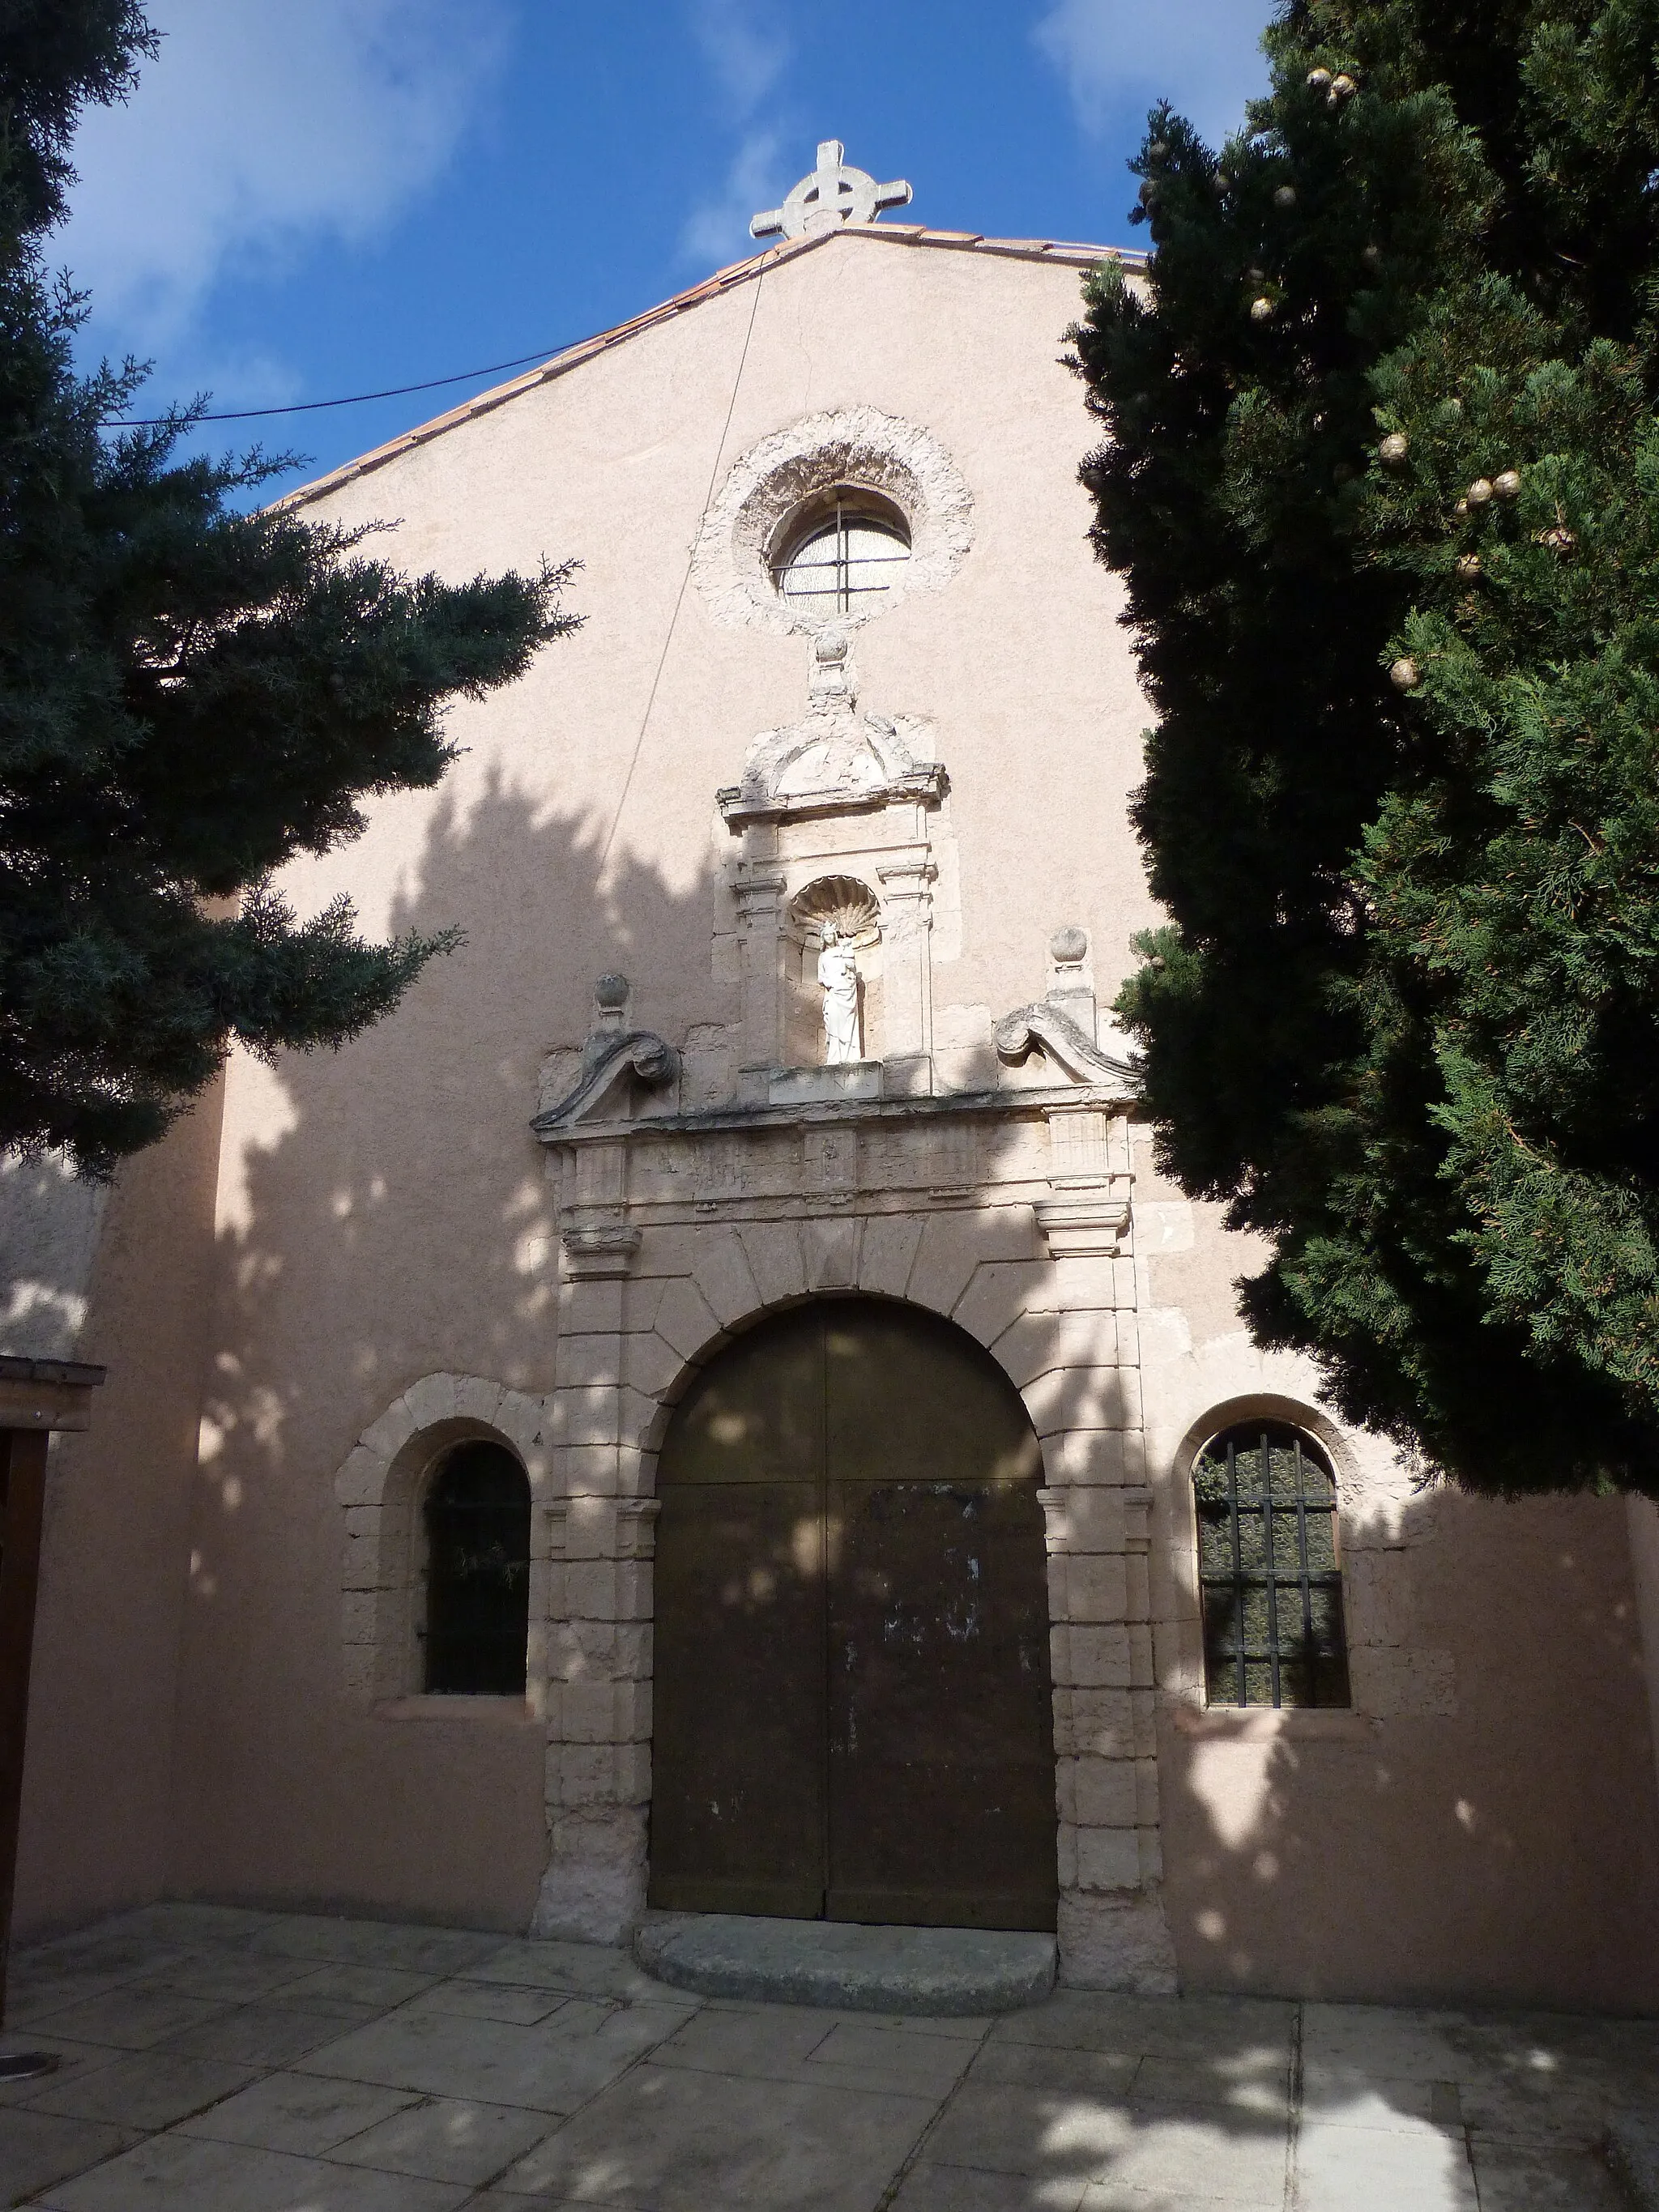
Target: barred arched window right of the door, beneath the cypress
[(1273, 1592)]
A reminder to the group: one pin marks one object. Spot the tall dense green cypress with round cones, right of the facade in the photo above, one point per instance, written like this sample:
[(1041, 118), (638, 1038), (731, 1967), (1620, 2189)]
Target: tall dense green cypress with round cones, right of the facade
[(1384, 479)]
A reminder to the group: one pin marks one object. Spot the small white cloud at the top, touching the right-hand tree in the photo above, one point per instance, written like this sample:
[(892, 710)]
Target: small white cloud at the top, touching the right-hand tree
[(1120, 56)]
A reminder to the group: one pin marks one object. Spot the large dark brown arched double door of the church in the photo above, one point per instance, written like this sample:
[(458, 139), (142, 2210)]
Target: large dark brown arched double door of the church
[(853, 1711)]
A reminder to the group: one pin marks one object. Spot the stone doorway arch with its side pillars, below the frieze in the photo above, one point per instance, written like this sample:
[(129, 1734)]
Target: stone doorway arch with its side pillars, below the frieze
[(1052, 1297)]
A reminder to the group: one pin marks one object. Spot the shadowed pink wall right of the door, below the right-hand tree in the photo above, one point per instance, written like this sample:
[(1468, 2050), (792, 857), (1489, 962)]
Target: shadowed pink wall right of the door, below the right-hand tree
[(1488, 1835)]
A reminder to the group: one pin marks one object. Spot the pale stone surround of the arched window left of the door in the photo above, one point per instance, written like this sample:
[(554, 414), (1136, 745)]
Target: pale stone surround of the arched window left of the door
[(379, 1490)]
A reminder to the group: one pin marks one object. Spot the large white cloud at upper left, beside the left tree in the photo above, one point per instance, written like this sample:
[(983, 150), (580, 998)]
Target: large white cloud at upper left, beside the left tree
[(262, 127)]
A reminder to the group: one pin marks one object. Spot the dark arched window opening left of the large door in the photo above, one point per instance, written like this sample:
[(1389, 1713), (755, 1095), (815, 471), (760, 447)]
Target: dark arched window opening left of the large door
[(479, 1574)]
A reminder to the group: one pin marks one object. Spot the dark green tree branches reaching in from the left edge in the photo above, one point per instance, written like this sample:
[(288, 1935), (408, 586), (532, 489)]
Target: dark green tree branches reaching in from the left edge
[(189, 696)]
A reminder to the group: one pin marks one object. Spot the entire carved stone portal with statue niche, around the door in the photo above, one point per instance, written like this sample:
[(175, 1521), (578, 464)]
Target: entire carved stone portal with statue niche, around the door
[(1005, 1207)]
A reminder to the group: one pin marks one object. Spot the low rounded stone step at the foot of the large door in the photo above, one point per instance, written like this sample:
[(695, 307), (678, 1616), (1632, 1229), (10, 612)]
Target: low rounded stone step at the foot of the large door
[(855, 1970)]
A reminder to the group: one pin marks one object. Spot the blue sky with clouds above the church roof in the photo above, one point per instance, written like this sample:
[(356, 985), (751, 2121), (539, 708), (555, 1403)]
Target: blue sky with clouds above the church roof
[(313, 198)]
